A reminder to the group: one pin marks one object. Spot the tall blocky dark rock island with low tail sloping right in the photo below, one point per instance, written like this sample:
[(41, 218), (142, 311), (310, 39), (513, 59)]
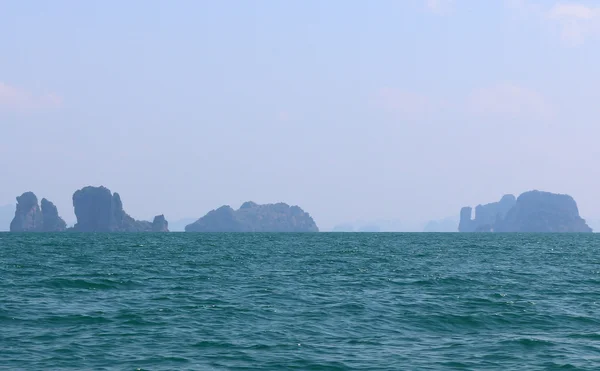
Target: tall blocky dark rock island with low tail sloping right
[(99, 210)]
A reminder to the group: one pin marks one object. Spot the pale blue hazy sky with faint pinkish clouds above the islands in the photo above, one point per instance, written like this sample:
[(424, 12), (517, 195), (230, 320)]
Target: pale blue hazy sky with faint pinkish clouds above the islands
[(371, 110)]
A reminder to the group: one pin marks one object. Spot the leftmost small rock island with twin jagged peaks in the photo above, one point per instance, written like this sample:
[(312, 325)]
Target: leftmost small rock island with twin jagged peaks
[(30, 218)]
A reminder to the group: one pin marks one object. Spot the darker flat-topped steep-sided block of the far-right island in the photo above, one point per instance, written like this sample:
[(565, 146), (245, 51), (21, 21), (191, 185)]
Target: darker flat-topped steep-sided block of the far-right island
[(541, 212)]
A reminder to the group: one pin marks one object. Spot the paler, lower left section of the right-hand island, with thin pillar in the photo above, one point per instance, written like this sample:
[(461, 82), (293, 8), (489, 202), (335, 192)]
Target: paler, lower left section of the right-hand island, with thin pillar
[(486, 216)]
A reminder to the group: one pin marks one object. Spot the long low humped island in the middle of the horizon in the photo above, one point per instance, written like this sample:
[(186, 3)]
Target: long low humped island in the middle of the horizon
[(251, 217)]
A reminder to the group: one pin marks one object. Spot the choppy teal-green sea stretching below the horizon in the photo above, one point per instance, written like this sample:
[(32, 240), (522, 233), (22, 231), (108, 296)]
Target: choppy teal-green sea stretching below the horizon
[(321, 301)]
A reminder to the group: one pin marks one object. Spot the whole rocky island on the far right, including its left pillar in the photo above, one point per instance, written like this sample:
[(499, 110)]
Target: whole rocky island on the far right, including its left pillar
[(532, 211)]
